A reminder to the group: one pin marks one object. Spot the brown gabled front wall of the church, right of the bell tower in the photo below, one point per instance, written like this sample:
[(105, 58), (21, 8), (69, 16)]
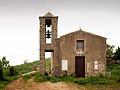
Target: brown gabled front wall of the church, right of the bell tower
[(94, 50)]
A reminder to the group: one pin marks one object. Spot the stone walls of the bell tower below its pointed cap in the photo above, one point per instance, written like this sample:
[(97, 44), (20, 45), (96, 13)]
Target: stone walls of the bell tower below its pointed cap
[(47, 47)]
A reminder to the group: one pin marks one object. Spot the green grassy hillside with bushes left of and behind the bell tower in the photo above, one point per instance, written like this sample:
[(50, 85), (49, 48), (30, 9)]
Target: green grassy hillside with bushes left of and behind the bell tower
[(9, 73)]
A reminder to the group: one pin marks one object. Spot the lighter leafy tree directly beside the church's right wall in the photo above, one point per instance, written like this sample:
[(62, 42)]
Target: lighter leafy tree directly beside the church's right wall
[(109, 51)]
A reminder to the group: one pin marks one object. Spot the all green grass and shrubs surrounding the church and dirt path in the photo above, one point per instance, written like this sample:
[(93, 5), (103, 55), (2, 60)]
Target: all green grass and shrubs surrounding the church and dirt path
[(7, 74)]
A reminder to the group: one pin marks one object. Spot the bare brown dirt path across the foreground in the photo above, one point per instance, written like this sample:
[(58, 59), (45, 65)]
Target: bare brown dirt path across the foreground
[(19, 84)]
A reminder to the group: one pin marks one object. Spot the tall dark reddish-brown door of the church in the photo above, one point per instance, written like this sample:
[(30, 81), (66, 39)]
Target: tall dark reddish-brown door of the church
[(80, 66)]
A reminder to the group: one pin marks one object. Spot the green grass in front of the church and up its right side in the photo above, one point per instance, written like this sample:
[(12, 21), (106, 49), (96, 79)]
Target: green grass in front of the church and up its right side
[(93, 82)]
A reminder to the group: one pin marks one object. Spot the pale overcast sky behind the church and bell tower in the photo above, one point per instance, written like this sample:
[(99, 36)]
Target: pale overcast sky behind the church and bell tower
[(19, 23)]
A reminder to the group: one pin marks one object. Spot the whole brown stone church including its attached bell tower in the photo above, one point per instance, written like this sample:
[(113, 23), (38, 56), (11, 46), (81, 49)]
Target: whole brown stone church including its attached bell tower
[(79, 53)]
